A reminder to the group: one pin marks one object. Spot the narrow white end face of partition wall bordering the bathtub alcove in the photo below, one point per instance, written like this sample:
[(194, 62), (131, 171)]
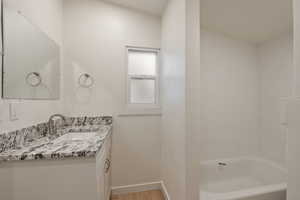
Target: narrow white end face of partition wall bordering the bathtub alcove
[(193, 98)]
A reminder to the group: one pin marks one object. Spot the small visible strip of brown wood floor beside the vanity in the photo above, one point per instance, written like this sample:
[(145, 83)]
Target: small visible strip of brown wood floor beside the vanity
[(148, 195)]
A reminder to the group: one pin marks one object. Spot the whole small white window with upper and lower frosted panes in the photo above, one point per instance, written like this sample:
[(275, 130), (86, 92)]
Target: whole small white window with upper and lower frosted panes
[(142, 76)]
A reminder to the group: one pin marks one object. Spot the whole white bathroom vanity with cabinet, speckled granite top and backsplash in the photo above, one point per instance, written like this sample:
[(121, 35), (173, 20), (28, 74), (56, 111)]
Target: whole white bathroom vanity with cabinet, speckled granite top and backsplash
[(74, 163)]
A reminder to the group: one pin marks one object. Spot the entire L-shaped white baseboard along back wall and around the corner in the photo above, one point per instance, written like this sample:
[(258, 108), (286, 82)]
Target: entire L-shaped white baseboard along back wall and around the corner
[(141, 188)]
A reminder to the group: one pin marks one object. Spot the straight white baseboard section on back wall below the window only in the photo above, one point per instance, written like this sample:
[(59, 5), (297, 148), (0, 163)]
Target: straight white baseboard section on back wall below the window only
[(136, 188)]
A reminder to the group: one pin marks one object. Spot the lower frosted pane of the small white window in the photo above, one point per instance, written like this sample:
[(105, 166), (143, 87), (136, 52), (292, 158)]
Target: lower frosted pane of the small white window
[(142, 91)]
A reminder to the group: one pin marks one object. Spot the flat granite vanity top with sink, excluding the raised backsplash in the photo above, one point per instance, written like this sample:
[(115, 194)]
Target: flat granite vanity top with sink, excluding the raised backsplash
[(71, 142)]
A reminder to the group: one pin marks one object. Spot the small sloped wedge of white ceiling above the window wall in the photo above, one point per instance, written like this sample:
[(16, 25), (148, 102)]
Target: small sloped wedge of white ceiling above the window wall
[(154, 7)]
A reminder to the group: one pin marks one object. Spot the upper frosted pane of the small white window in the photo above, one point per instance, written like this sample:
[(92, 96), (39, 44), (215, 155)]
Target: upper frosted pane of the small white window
[(141, 63)]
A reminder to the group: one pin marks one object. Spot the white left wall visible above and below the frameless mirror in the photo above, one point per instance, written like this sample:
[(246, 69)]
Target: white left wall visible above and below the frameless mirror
[(47, 15)]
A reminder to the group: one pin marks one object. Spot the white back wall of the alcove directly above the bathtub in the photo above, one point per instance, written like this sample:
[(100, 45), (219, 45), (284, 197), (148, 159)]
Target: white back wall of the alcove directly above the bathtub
[(230, 97)]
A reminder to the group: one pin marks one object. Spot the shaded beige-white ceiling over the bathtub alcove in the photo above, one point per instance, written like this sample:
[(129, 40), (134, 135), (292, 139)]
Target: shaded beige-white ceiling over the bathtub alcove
[(251, 20)]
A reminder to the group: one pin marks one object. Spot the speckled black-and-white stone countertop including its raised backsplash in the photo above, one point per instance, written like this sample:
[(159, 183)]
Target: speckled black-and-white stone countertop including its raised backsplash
[(77, 138)]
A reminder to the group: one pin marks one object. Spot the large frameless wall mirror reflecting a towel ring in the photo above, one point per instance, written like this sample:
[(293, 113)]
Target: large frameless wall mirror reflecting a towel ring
[(31, 60)]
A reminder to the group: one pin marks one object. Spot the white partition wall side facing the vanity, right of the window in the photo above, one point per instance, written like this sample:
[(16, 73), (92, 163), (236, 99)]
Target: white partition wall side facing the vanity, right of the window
[(173, 100)]
